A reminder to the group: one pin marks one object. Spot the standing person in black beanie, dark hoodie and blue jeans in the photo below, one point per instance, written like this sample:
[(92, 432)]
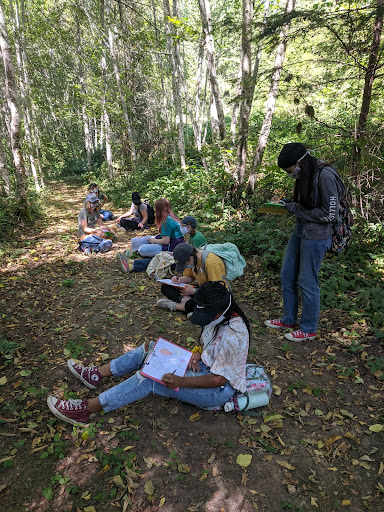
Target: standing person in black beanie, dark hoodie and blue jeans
[(316, 196)]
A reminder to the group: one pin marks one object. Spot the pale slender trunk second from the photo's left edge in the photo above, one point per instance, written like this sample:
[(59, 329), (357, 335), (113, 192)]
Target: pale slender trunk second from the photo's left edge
[(24, 93)]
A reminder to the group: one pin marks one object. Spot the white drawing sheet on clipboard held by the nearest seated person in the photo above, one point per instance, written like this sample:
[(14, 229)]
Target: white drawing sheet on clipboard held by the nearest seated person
[(166, 357)]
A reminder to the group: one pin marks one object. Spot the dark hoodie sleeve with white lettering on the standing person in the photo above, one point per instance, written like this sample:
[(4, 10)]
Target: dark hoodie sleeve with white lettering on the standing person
[(331, 190)]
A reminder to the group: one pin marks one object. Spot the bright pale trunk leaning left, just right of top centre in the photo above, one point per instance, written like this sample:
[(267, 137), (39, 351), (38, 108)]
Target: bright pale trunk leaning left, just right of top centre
[(205, 12)]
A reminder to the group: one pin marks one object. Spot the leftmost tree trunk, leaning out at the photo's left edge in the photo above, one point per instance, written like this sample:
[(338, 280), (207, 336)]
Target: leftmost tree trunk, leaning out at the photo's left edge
[(15, 123)]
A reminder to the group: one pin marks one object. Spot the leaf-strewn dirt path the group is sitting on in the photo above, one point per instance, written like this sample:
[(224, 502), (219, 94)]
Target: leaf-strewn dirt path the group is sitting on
[(317, 446)]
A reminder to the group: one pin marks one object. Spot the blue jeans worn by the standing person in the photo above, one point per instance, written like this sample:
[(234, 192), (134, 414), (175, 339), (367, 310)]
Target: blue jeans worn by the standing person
[(300, 270)]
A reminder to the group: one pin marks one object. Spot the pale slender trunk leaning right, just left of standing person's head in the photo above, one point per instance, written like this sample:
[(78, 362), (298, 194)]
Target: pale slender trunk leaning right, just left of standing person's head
[(272, 97)]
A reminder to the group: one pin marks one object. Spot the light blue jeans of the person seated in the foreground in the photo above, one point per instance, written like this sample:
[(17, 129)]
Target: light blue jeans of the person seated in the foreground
[(137, 386)]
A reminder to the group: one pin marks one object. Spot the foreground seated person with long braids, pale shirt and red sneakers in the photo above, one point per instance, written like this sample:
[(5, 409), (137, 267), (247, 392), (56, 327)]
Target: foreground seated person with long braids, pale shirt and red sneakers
[(216, 370)]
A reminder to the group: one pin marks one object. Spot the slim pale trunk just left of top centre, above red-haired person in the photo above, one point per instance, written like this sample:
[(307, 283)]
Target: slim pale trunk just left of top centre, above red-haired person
[(175, 84)]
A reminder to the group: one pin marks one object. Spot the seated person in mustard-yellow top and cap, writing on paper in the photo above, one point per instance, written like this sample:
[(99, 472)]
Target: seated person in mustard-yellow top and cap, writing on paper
[(189, 262)]
